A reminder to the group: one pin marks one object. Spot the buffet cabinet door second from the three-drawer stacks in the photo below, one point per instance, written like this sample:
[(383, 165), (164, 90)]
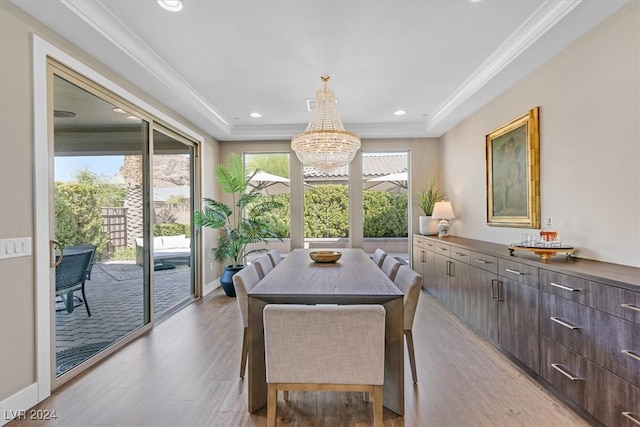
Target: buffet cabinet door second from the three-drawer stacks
[(483, 300)]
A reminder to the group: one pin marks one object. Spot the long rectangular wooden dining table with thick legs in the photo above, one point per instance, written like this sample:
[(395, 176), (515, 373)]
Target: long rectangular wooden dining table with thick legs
[(354, 279)]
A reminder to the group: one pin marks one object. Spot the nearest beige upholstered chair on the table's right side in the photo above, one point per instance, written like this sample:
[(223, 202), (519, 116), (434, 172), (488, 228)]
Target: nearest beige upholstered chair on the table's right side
[(410, 283)]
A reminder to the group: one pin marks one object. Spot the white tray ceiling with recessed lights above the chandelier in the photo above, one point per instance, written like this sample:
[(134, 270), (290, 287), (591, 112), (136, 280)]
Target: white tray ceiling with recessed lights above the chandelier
[(216, 62)]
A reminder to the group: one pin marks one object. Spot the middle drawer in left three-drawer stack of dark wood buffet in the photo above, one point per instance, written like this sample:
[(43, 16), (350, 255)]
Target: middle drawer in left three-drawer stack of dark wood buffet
[(568, 323)]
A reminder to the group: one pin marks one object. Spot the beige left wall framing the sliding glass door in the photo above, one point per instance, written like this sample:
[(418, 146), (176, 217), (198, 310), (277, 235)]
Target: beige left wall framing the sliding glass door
[(18, 316)]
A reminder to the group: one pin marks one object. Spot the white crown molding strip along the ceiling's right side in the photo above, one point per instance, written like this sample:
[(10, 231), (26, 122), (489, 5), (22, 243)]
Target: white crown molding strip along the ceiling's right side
[(541, 21)]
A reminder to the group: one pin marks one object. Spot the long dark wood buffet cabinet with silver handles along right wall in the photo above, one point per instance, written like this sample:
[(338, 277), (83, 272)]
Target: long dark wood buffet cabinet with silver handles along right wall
[(574, 323)]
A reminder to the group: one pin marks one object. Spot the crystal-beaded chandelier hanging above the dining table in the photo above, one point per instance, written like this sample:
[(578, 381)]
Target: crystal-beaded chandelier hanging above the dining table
[(325, 145)]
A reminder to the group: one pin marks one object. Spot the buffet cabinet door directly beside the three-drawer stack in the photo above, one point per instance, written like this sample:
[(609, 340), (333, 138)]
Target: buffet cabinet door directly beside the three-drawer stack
[(518, 330)]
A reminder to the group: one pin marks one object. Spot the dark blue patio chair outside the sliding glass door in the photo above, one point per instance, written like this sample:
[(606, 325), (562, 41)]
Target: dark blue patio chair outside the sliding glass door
[(71, 274)]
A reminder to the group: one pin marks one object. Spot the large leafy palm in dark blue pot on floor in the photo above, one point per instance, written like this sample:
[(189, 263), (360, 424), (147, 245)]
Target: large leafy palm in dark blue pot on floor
[(240, 224)]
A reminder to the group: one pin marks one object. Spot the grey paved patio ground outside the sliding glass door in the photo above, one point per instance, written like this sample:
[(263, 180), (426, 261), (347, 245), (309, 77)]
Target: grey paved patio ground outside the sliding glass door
[(115, 297)]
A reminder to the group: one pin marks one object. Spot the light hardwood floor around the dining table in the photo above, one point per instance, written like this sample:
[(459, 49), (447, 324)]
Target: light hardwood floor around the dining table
[(185, 372)]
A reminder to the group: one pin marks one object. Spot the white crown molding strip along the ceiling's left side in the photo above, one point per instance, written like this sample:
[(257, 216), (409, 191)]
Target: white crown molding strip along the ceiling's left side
[(95, 14)]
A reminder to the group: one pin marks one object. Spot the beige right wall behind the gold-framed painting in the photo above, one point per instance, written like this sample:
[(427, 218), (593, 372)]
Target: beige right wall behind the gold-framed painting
[(589, 98)]
